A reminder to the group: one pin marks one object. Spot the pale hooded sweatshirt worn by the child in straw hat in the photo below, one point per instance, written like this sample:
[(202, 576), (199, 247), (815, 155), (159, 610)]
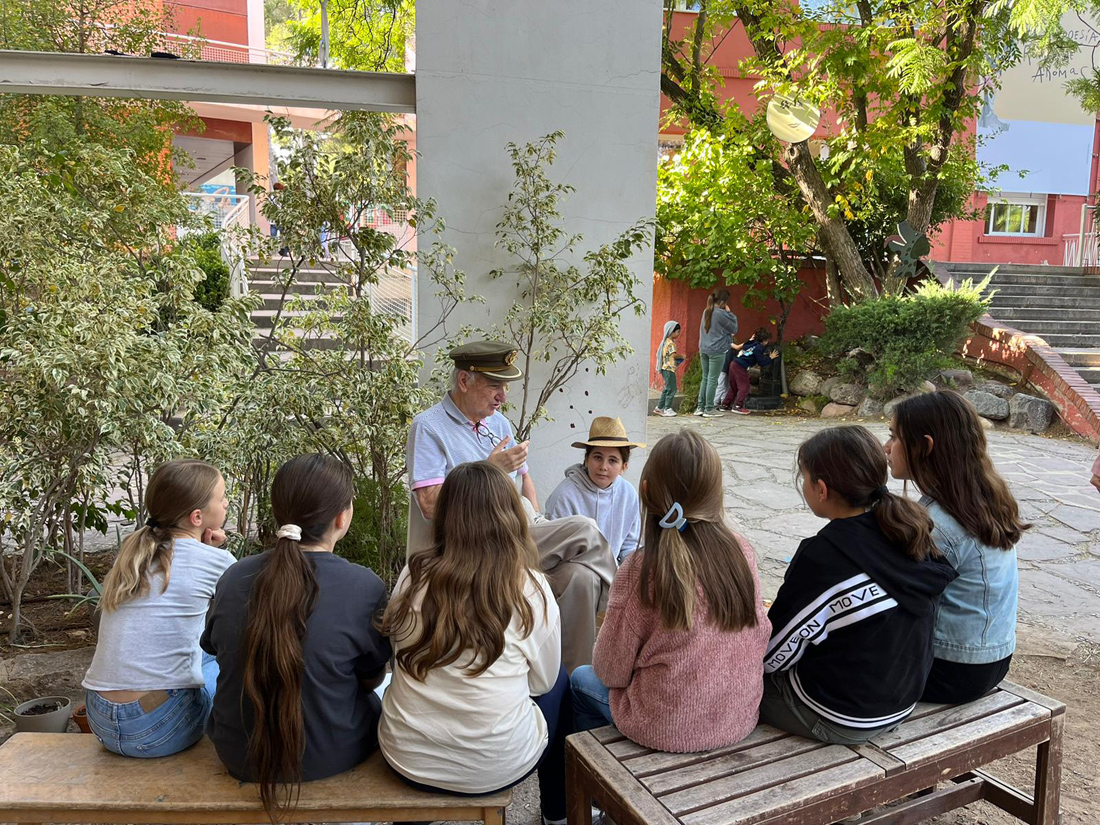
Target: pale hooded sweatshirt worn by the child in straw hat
[(617, 511)]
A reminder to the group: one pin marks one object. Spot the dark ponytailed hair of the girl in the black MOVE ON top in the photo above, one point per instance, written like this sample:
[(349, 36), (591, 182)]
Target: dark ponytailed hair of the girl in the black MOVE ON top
[(853, 465)]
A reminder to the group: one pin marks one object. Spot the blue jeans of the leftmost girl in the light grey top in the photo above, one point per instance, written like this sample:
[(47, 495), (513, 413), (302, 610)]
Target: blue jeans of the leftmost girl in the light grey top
[(128, 730)]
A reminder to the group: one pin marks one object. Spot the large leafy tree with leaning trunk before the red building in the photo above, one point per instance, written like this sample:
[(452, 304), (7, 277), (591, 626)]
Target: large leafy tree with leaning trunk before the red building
[(900, 80)]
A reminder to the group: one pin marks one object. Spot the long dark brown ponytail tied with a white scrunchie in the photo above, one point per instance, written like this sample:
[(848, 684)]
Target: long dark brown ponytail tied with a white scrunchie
[(309, 491)]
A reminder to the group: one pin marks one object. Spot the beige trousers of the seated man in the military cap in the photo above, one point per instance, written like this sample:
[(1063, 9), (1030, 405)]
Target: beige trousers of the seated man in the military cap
[(578, 563)]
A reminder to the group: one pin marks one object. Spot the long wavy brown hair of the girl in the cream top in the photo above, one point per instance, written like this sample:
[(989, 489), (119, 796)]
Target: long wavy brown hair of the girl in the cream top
[(472, 579)]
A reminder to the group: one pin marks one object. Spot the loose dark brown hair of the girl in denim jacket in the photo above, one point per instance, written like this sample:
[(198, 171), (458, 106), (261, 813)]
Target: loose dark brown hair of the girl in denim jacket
[(958, 471)]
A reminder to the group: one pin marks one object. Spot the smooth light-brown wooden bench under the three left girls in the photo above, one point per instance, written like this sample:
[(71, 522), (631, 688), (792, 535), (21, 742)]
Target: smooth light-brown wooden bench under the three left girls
[(68, 778)]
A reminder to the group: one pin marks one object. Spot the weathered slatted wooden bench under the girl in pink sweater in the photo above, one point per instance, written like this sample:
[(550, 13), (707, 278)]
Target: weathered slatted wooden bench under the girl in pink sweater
[(774, 777)]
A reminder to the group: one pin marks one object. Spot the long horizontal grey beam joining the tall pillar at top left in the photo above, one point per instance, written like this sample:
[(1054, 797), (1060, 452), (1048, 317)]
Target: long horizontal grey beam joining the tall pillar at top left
[(56, 73)]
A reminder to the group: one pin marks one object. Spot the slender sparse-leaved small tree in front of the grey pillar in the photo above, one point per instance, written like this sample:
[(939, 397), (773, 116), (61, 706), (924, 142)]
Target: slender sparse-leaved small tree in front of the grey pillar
[(566, 316)]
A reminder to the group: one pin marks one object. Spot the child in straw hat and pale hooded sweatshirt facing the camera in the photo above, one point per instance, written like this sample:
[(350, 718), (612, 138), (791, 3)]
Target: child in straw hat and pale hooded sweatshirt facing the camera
[(596, 489)]
